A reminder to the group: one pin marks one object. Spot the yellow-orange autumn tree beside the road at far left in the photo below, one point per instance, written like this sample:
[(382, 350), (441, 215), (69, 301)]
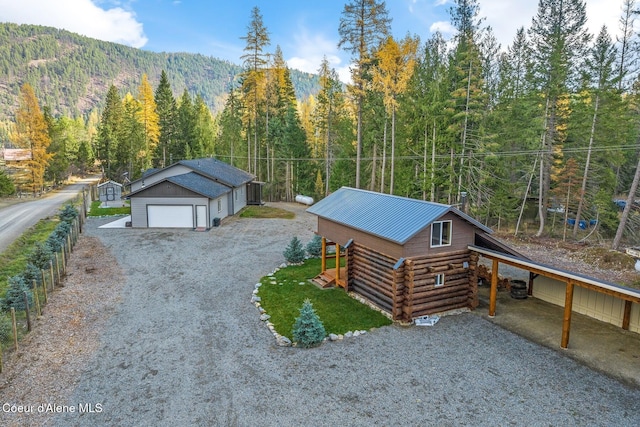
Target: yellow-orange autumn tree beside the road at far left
[(31, 133)]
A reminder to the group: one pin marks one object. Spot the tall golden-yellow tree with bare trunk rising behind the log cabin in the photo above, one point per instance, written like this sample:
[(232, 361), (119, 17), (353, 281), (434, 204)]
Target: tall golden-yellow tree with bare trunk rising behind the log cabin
[(396, 62)]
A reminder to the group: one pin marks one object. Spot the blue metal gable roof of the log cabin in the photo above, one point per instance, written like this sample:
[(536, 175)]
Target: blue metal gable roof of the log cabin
[(390, 217)]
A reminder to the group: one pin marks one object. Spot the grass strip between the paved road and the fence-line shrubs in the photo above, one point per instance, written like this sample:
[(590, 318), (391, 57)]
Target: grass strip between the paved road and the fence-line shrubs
[(14, 259)]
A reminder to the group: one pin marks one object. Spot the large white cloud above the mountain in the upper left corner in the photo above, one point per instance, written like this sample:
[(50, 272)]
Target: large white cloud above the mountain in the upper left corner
[(78, 16)]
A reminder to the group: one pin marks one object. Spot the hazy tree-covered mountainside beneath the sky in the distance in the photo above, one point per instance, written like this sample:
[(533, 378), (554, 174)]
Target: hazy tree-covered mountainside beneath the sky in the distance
[(71, 73)]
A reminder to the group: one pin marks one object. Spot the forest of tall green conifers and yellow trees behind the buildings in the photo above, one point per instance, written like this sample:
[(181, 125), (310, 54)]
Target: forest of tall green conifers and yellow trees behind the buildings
[(543, 130)]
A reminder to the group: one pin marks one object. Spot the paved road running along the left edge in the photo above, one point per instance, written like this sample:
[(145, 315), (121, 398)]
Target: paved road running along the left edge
[(18, 217)]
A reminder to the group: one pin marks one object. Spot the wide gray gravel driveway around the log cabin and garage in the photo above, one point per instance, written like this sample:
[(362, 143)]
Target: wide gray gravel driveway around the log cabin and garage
[(185, 347)]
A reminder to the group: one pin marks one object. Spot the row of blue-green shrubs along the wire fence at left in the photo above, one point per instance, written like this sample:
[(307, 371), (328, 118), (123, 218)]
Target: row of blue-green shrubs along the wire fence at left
[(27, 293)]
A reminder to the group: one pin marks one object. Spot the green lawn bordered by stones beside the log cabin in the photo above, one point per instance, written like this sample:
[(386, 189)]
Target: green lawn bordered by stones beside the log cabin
[(338, 311)]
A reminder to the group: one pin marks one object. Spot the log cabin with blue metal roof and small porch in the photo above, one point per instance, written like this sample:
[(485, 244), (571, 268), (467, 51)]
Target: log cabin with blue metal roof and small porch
[(407, 256)]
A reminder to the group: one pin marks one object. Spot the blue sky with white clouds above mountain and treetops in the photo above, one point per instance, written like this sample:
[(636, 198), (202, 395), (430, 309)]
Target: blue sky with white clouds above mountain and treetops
[(305, 30)]
